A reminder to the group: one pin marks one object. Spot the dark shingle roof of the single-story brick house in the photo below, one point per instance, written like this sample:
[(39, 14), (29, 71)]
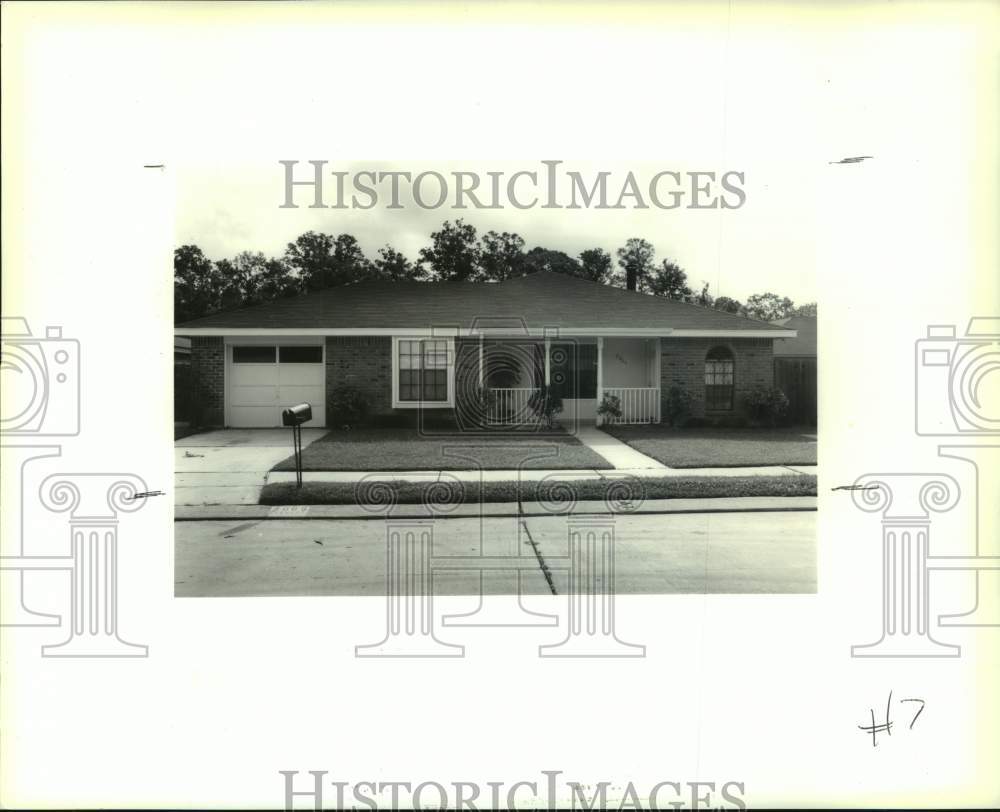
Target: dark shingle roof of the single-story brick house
[(542, 299)]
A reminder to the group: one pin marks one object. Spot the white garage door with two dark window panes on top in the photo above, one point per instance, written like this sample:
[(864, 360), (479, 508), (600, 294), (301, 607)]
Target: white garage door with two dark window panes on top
[(266, 378)]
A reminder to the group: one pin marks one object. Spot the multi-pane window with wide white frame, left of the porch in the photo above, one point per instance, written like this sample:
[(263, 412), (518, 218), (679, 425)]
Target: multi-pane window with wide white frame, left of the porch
[(422, 372)]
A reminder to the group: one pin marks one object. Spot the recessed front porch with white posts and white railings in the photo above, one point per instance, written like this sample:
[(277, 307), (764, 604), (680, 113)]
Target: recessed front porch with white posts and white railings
[(582, 371)]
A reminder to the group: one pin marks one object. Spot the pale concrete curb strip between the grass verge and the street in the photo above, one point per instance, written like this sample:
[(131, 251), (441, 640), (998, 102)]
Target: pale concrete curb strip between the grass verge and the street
[(744, 504)]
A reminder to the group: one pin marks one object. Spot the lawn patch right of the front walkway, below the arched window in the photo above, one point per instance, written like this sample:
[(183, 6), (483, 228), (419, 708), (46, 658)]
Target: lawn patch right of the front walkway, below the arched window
[(719, 448)]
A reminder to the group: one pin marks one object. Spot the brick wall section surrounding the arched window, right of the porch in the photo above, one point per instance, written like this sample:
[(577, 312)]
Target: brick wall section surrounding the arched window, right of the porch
[(683, 364)]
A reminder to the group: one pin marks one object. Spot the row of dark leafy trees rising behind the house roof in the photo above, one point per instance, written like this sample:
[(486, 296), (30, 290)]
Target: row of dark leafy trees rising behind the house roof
[(315, 261)]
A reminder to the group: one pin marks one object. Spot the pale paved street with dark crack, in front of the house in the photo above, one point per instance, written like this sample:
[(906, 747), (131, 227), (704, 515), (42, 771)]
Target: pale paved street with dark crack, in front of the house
[(762, 552)]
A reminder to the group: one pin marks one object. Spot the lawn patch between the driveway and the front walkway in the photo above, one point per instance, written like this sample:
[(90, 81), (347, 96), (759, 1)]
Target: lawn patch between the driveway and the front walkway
[(405, 449)]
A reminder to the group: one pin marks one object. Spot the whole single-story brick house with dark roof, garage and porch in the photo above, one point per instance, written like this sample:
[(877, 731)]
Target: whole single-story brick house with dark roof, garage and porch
[(488, 345)]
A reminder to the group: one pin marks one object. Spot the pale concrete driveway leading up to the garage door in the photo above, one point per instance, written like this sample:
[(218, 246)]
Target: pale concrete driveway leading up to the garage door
[(229, 466)]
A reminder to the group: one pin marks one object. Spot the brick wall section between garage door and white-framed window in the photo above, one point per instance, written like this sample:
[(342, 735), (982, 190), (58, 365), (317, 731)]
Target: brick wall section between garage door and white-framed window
[(362, 362)]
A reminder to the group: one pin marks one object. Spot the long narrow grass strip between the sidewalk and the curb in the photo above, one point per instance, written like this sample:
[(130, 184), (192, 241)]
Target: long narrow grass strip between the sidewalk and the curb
[(410, 493)]
